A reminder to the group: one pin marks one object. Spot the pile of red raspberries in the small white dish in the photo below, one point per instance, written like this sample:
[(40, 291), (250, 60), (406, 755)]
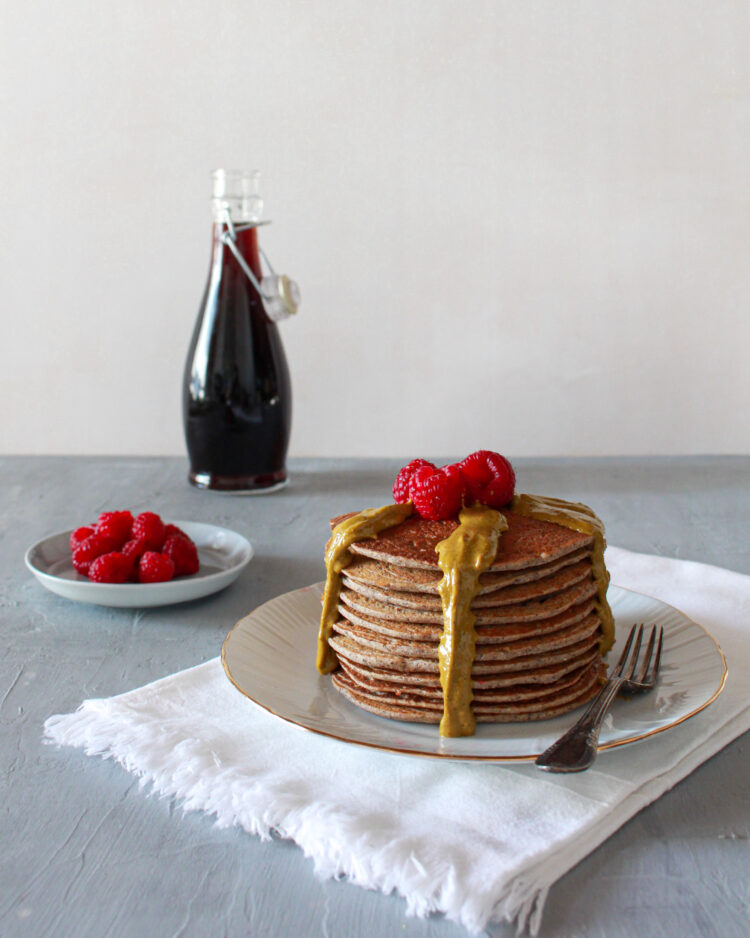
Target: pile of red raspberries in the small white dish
[(120, 548)]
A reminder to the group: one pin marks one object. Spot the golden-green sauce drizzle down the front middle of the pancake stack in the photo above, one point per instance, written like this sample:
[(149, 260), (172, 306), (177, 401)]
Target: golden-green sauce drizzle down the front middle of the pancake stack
[(462, 557)]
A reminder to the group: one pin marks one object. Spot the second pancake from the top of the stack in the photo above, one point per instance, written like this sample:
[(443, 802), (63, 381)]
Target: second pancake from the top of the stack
[(392, 577)]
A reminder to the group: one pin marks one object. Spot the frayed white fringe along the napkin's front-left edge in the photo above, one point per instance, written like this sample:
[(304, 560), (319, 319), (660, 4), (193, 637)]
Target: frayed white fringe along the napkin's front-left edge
[(96, 729)]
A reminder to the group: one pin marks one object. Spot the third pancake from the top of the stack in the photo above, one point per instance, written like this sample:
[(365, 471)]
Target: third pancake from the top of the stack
[(505, 596)]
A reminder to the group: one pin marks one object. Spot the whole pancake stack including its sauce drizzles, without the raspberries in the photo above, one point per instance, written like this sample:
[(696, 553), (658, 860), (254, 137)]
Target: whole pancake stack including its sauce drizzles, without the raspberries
[(529, 649)]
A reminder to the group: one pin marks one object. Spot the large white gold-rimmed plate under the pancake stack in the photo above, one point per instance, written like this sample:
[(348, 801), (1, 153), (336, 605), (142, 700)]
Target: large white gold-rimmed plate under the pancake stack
[(270, 657)]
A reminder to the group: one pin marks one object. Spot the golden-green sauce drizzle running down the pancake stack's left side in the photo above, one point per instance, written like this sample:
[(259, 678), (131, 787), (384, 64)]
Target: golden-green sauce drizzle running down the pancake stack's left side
[(366, 524)]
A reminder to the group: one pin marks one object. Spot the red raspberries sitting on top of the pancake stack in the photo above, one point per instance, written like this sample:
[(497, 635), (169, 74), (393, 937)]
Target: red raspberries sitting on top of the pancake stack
[(484, 478)]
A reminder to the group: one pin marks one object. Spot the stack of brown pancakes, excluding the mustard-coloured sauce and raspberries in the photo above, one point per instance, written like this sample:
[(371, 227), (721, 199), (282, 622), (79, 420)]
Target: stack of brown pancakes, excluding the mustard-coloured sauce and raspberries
[(538, 630)]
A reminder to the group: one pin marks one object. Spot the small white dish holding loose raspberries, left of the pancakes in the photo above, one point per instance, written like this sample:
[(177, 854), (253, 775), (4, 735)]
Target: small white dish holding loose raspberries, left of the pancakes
[(223, 554)]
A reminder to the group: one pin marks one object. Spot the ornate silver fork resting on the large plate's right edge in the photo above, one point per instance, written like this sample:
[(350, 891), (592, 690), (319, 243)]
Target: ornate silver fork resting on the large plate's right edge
[(576, 750)]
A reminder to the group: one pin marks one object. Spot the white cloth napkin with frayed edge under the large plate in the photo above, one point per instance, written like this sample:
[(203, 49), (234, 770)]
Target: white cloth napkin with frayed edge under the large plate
[(476, 842)]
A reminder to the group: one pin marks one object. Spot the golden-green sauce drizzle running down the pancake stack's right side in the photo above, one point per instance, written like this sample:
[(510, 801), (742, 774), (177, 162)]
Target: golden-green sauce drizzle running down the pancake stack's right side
[(581, 518)]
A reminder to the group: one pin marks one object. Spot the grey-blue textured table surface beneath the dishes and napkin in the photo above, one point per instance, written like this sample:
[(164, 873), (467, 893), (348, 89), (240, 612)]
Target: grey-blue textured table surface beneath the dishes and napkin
[(86, 853)]
